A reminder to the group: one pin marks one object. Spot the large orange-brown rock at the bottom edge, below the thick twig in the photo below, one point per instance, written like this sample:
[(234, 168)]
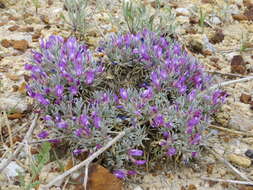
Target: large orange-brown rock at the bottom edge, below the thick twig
[(101, 179)]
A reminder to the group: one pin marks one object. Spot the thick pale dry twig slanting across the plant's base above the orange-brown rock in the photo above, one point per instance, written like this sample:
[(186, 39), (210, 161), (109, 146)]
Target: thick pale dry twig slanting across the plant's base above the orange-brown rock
[(85, 162)]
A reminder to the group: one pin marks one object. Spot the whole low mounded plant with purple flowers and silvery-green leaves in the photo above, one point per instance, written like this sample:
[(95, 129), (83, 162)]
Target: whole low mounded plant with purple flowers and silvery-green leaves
[(165, 115)]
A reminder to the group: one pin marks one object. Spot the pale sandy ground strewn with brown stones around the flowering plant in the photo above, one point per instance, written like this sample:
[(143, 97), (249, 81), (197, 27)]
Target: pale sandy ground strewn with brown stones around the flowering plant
[(223, 44)]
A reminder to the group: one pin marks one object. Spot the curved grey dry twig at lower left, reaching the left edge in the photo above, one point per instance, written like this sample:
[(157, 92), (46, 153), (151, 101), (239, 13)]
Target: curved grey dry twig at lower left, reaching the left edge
[(20, 146)]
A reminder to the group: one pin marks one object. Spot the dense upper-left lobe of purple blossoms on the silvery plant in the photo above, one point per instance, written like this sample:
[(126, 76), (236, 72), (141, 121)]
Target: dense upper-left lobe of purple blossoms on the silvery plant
[(61, 67)]
